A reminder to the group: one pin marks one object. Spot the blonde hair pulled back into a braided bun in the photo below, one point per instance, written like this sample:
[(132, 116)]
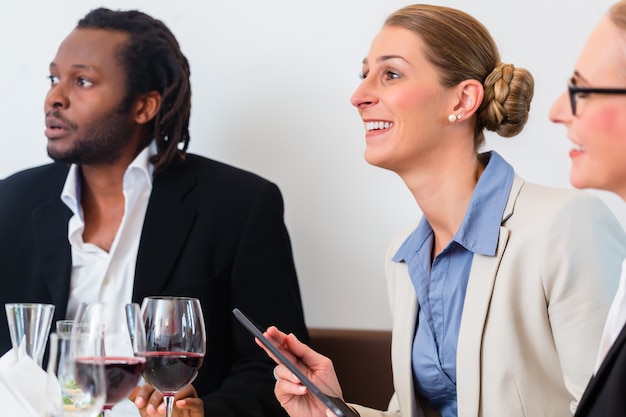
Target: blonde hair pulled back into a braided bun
[(461, 48)]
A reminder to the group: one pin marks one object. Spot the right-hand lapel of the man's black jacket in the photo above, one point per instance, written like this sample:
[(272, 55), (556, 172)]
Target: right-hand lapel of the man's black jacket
[(165, 230)]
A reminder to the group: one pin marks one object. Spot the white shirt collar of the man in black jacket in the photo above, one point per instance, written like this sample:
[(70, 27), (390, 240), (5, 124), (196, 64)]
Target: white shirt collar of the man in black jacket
[(70, 195)]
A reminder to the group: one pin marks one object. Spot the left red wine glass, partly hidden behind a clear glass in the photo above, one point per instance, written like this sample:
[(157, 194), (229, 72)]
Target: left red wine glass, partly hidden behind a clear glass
[(121, 329)]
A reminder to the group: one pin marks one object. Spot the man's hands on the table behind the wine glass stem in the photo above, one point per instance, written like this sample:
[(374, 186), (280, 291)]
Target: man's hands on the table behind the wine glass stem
[(150, 402)]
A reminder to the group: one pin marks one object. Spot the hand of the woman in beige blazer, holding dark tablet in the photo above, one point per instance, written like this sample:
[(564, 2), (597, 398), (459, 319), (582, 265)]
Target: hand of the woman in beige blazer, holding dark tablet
[(292, 395)]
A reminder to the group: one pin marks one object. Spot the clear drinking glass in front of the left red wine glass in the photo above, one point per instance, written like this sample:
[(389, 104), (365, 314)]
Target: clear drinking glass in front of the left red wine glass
[(76, 385)]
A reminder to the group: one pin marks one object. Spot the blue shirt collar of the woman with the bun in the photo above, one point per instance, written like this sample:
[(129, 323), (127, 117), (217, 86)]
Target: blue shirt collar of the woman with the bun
[(480, 228)]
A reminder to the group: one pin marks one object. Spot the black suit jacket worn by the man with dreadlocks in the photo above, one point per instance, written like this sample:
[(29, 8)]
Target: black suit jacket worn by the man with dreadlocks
[(211, 231)]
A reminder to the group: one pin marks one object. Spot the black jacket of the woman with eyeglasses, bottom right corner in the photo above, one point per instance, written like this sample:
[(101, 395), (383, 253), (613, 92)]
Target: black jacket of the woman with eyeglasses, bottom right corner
[(605, 394)]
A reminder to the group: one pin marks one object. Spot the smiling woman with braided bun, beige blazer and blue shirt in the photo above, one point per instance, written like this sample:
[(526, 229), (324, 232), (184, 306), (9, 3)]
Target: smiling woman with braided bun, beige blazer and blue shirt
[(499, 294)]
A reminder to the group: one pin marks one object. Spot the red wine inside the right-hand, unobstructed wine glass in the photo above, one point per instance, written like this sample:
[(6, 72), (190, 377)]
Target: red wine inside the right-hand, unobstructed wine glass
[(169, 372)]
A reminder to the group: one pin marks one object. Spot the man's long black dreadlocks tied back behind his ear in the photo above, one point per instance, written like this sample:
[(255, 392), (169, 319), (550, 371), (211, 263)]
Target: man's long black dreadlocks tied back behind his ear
[(153, 61)]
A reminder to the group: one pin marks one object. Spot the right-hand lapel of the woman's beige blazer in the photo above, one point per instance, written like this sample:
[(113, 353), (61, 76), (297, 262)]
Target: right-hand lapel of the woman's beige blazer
[(476, 306)]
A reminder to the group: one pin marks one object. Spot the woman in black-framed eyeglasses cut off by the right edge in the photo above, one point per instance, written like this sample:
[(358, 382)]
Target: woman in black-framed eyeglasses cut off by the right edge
[(594, 112)]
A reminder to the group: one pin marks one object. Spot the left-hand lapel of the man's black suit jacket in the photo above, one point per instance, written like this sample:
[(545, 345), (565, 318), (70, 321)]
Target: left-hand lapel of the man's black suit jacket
[(49, 223)]
